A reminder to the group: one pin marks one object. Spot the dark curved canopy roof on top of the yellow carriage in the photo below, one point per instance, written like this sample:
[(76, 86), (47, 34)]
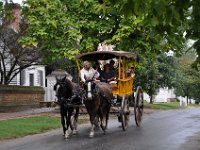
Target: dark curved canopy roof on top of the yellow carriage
[(105, 55)]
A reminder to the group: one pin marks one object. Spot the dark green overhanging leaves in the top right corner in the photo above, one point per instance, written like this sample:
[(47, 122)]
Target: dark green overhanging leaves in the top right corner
[(171, 18)]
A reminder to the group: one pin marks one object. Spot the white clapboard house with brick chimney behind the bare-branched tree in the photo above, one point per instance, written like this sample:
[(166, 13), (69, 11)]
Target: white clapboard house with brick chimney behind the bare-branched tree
[(31, 76)]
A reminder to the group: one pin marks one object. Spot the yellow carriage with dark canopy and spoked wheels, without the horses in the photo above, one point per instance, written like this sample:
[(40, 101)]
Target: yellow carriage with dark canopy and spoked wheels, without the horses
[(122, 89)]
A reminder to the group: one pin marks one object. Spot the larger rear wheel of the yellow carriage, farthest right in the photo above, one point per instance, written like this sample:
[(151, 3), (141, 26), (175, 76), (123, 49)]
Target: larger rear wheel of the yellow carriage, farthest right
[(138, 106)]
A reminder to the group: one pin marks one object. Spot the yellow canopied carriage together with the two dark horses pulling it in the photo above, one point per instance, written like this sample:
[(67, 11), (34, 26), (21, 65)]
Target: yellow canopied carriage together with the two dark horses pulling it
[(99, 97)]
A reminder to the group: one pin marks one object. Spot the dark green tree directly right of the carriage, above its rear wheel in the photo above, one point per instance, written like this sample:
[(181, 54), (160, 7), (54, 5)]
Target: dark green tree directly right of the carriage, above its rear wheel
[(155, 72)]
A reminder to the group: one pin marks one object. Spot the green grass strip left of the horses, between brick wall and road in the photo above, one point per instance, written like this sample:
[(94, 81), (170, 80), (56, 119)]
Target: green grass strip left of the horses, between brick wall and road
[(14, 128)]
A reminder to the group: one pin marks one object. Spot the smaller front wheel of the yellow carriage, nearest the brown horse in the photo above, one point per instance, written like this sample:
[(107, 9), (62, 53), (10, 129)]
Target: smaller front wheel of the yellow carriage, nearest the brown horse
[(124, 113)]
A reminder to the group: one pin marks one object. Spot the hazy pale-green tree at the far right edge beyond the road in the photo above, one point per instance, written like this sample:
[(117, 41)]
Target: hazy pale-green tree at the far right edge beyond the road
[(187, 78)]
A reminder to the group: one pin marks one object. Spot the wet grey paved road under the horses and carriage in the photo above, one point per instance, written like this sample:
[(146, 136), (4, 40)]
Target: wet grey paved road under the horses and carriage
[(165, 130)]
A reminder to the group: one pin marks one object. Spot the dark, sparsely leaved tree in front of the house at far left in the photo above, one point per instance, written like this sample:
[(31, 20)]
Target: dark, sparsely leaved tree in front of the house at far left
[(13, 57)]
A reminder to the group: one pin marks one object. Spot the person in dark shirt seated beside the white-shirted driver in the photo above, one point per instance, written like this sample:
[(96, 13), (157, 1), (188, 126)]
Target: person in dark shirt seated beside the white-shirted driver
[(107, 75)]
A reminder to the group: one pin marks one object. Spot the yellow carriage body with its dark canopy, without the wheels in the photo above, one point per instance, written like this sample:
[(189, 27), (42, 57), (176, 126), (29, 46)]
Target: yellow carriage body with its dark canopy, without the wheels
[(124, 85)]
